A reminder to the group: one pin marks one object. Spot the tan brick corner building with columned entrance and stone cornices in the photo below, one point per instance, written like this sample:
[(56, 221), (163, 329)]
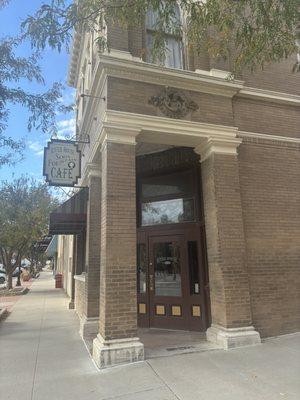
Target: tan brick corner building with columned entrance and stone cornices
[(192, 217)]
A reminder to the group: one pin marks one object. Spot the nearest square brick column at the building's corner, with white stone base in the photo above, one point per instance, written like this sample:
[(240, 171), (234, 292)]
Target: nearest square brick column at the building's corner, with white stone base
[(117, 341)]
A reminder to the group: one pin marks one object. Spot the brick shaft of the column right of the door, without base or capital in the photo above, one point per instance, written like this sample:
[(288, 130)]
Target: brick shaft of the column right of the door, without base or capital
[(228, 277)]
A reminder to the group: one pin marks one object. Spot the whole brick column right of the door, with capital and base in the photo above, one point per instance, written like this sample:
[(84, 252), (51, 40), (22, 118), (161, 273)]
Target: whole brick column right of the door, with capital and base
[(226, 251)]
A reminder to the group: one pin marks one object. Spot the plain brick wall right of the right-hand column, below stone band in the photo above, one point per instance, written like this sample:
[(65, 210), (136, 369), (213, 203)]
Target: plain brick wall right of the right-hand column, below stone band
[(270, 189)]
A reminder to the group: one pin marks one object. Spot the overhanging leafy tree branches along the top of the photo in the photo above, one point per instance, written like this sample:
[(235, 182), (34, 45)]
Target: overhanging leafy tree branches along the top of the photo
[(250, 33)]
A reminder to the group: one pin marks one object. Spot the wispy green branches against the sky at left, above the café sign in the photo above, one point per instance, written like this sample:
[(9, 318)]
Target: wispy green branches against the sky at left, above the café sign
[(42, 107)]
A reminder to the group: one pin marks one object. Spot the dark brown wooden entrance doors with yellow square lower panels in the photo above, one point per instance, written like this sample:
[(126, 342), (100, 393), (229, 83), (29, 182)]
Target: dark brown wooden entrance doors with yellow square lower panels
[(172, 279)]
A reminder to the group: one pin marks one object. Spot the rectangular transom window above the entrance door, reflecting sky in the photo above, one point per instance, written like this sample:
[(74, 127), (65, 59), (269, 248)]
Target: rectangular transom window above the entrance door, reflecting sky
[(167, 212)]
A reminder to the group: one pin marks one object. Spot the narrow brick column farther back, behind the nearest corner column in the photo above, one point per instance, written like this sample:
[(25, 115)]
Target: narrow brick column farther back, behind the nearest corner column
[(90, 316)]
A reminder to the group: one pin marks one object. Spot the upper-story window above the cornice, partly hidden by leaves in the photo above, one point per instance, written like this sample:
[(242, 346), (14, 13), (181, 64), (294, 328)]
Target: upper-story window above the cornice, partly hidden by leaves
[(173, 54)]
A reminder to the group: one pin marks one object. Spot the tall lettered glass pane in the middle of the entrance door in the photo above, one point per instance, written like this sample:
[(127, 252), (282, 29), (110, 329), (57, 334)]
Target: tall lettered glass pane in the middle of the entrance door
[(167, 269)]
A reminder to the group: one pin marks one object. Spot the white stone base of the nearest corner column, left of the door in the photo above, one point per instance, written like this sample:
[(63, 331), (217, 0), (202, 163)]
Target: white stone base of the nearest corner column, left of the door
[(109, 353)]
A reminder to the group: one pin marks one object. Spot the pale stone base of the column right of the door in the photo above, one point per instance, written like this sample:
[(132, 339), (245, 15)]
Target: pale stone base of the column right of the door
[(230, 338)]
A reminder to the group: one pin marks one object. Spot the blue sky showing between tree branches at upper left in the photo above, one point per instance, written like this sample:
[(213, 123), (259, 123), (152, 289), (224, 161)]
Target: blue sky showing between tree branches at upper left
[(54, 66)]
